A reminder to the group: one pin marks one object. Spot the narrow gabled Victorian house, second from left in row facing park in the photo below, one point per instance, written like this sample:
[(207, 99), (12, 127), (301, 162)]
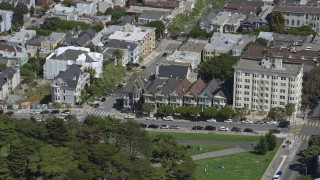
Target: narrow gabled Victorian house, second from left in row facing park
[(152, 88)]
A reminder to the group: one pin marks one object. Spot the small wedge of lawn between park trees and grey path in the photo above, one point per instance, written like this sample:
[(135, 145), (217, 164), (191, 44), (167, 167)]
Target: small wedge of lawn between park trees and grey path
[(206, 148)]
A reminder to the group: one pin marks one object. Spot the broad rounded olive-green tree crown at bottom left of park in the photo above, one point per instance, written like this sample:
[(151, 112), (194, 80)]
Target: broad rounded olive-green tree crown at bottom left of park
[(52, 162)]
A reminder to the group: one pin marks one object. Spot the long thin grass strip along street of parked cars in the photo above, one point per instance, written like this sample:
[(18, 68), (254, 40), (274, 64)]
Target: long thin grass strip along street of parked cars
[(209, 137)]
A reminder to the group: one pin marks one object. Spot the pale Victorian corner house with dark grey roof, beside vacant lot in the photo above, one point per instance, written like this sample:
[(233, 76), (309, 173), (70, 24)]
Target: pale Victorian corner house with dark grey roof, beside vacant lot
[(68, 84)]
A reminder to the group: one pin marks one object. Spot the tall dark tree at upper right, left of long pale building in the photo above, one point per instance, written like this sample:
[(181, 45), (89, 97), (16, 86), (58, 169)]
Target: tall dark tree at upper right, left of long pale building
[(277, 22)]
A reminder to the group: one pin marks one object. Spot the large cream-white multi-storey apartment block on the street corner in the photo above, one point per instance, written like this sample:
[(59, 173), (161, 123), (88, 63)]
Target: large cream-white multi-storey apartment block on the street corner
[(262, 85)]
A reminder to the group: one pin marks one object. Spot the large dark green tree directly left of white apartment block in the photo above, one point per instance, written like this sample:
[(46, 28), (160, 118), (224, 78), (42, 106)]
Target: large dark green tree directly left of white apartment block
[(219, 67)]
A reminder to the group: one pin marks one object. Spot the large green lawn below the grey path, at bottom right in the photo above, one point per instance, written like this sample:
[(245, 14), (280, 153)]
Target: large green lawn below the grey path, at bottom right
[(247, 165)]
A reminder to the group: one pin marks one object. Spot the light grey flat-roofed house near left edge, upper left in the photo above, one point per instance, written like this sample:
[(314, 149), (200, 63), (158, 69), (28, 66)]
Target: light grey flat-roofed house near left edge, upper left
[(20, 38)]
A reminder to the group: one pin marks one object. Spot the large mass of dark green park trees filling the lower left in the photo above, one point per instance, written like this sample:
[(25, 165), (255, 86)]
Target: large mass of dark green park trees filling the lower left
[(97, 148)]
